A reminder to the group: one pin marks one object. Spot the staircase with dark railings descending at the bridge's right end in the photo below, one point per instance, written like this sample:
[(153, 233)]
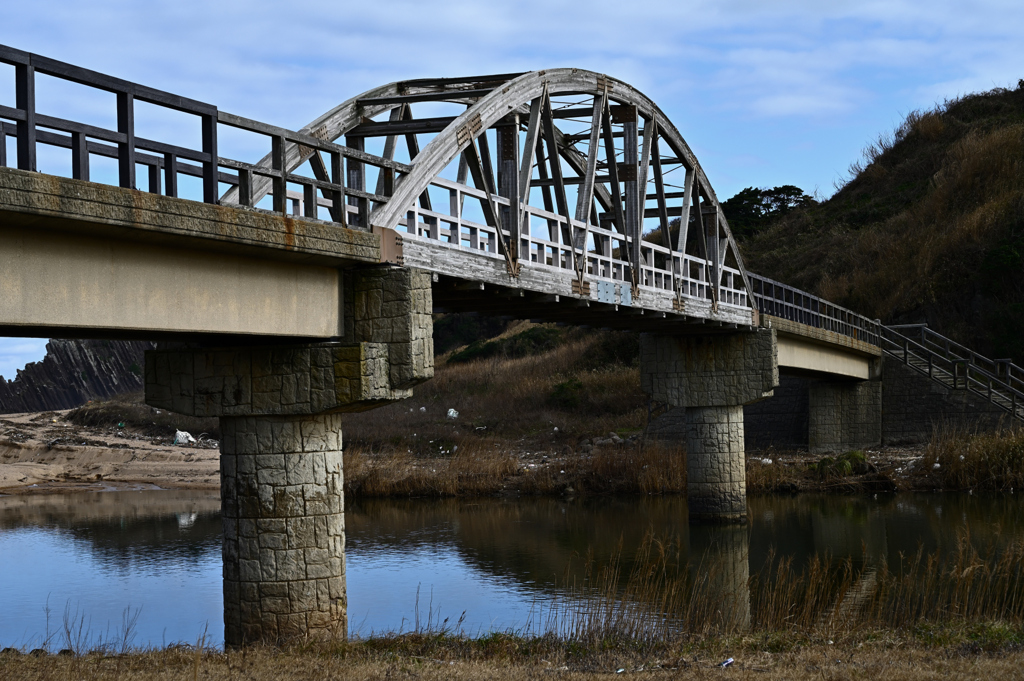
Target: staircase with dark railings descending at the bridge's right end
[(1000, 381)]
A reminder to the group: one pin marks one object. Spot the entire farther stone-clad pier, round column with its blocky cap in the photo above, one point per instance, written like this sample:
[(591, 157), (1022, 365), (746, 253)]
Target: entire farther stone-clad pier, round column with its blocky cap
[(712, 377)]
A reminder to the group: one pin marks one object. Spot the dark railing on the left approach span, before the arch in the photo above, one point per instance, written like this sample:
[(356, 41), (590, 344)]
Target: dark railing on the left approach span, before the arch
[(338, 185)]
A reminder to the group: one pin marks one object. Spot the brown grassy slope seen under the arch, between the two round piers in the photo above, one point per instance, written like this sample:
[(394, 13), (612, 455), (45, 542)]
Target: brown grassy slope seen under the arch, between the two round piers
[(522, 399)]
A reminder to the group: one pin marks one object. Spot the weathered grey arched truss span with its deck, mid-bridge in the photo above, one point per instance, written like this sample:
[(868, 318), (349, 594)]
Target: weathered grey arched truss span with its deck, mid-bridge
[(546, 186)]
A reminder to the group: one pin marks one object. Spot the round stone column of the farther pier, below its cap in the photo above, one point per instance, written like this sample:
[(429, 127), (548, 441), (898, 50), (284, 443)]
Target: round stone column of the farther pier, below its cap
[(716, 483)]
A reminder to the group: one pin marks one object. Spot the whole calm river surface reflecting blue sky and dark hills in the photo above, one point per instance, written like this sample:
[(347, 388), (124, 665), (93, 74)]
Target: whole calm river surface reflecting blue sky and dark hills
[(503, 563)]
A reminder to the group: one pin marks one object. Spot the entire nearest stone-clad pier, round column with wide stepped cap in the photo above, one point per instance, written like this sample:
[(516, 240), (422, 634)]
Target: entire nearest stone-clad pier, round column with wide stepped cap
[(281, 463)]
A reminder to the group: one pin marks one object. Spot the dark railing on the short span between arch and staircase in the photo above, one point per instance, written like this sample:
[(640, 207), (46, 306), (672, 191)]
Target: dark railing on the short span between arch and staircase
[(784, 302)]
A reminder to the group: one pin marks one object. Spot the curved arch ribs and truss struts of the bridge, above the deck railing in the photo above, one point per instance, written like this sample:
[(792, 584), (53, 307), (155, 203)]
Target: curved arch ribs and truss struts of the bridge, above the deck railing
[(491, 101)]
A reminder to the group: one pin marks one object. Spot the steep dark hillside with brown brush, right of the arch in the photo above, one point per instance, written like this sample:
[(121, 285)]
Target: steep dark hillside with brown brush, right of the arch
[(930, 228)]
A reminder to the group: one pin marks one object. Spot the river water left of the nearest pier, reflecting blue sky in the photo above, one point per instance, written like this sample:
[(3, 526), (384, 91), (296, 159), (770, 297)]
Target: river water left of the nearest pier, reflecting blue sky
[(98, 555)]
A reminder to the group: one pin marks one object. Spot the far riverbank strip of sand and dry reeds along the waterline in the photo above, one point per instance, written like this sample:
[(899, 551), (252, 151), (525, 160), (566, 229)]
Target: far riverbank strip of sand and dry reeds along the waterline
[(53, 452)]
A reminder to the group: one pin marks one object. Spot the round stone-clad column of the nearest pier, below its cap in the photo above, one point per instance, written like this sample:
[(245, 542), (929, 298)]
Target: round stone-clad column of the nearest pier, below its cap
[(281, 489)]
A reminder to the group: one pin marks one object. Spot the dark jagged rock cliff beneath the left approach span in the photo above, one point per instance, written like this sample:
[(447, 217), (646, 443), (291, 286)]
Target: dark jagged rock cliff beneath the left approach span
[(74, 372)]
